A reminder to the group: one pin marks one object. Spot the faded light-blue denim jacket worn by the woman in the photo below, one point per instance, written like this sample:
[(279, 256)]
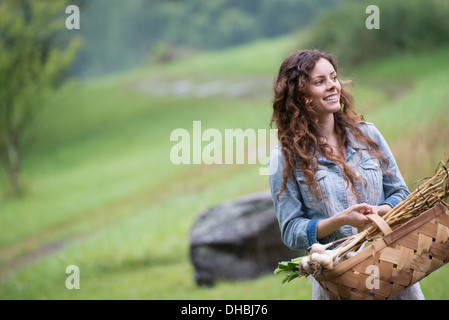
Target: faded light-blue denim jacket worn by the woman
[(298, 211)]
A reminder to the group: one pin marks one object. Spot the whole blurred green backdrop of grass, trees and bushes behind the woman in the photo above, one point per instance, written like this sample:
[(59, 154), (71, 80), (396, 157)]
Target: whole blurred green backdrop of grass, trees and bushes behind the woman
[(87, 115)]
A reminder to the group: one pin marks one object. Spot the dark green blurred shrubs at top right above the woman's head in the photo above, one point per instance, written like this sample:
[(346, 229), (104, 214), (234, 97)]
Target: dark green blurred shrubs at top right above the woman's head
[(405, 25)]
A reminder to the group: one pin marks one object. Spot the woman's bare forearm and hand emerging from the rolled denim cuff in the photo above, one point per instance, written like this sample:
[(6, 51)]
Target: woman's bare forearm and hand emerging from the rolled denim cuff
[(354, 216)]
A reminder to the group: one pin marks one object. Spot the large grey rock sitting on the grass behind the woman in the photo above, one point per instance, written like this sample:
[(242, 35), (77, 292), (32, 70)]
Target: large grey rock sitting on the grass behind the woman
[(237, 240)]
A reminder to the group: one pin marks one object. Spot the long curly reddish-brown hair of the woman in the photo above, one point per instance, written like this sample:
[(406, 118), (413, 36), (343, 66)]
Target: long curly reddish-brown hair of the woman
[(297, 122)]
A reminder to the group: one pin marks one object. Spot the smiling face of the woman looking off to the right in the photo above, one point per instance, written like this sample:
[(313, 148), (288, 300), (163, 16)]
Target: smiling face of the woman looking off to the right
[(324, 88)]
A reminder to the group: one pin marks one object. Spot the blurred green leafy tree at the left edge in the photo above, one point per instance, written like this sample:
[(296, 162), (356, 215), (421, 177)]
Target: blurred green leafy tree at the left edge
[(31, 67)]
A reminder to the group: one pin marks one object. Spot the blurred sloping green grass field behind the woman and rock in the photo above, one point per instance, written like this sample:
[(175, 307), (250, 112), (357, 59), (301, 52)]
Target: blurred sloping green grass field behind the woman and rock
[(102, 194)]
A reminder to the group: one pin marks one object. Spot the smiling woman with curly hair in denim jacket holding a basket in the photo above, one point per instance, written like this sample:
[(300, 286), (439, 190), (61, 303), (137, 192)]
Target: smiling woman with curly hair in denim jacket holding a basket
[(330, 168)]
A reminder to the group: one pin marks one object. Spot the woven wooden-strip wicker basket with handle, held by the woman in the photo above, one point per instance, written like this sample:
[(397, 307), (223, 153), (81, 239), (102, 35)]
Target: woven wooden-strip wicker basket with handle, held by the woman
[(403, 257)]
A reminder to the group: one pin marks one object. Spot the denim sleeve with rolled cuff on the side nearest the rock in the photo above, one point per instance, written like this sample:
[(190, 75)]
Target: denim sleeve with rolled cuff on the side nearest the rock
[(297, 231)]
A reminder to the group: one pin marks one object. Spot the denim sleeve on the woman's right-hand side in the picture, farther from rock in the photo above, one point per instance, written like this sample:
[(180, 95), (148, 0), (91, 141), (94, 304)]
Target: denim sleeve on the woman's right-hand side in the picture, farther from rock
[(394, 187)]
